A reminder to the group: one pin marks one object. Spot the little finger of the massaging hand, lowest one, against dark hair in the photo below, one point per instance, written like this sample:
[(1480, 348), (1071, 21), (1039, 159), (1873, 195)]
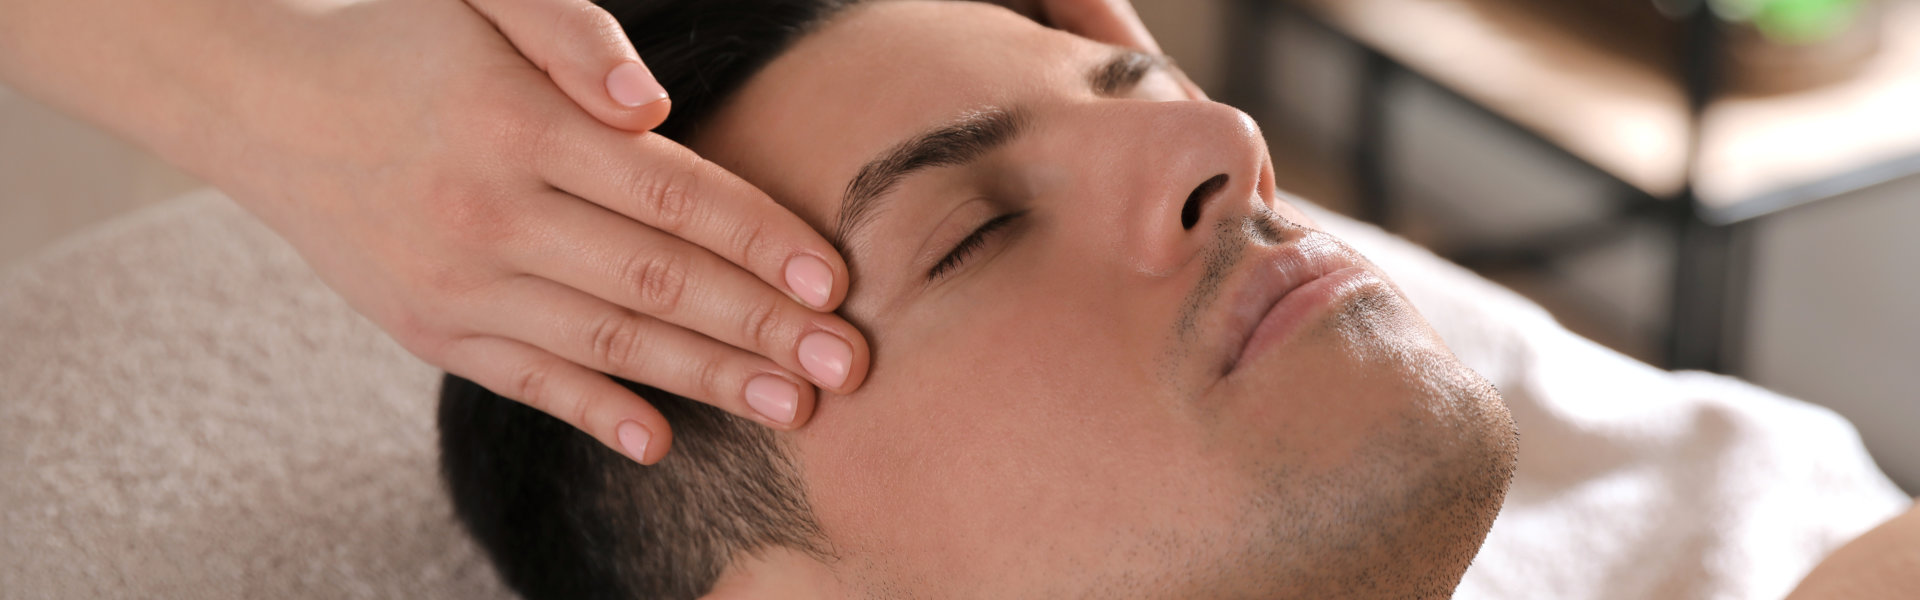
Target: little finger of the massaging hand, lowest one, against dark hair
[(567, 391)]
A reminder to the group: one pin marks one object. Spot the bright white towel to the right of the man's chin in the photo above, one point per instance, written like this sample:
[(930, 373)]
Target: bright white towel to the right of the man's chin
[(1635, 482)]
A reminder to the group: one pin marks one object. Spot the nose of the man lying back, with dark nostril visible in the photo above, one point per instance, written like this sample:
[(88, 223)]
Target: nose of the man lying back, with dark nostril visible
[(1176, 172)]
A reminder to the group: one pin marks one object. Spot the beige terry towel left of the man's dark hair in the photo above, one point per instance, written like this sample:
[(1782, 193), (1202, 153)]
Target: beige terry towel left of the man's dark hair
[(187, 412)]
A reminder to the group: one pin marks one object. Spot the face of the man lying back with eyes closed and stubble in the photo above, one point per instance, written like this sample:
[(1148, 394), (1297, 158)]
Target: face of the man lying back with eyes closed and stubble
[(1063, 407)]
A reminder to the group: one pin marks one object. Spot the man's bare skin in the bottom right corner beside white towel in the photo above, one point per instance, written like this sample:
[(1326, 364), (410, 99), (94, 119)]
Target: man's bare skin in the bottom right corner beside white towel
[(1881, 564)]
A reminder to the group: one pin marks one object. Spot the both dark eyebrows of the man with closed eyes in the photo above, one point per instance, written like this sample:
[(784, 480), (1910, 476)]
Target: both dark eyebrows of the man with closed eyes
[(965, 141)]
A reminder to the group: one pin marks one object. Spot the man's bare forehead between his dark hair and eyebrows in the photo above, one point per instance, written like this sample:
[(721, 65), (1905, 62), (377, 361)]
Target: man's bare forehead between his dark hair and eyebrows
[(876, 76)]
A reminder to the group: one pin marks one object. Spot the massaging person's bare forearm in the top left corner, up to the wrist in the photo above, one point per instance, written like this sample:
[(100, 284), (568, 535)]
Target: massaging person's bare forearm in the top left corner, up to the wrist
[(168, 76)]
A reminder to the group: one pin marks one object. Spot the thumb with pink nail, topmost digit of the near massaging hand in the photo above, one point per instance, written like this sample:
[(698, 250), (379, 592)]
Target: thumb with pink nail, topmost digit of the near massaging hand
[(588, 57)]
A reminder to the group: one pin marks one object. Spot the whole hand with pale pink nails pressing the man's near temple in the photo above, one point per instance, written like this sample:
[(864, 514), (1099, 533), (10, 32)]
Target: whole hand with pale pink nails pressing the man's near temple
[(504, 232)]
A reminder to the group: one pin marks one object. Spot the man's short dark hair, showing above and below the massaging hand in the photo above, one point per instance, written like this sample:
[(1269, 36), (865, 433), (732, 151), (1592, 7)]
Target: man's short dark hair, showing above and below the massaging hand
[(564, 516)]
